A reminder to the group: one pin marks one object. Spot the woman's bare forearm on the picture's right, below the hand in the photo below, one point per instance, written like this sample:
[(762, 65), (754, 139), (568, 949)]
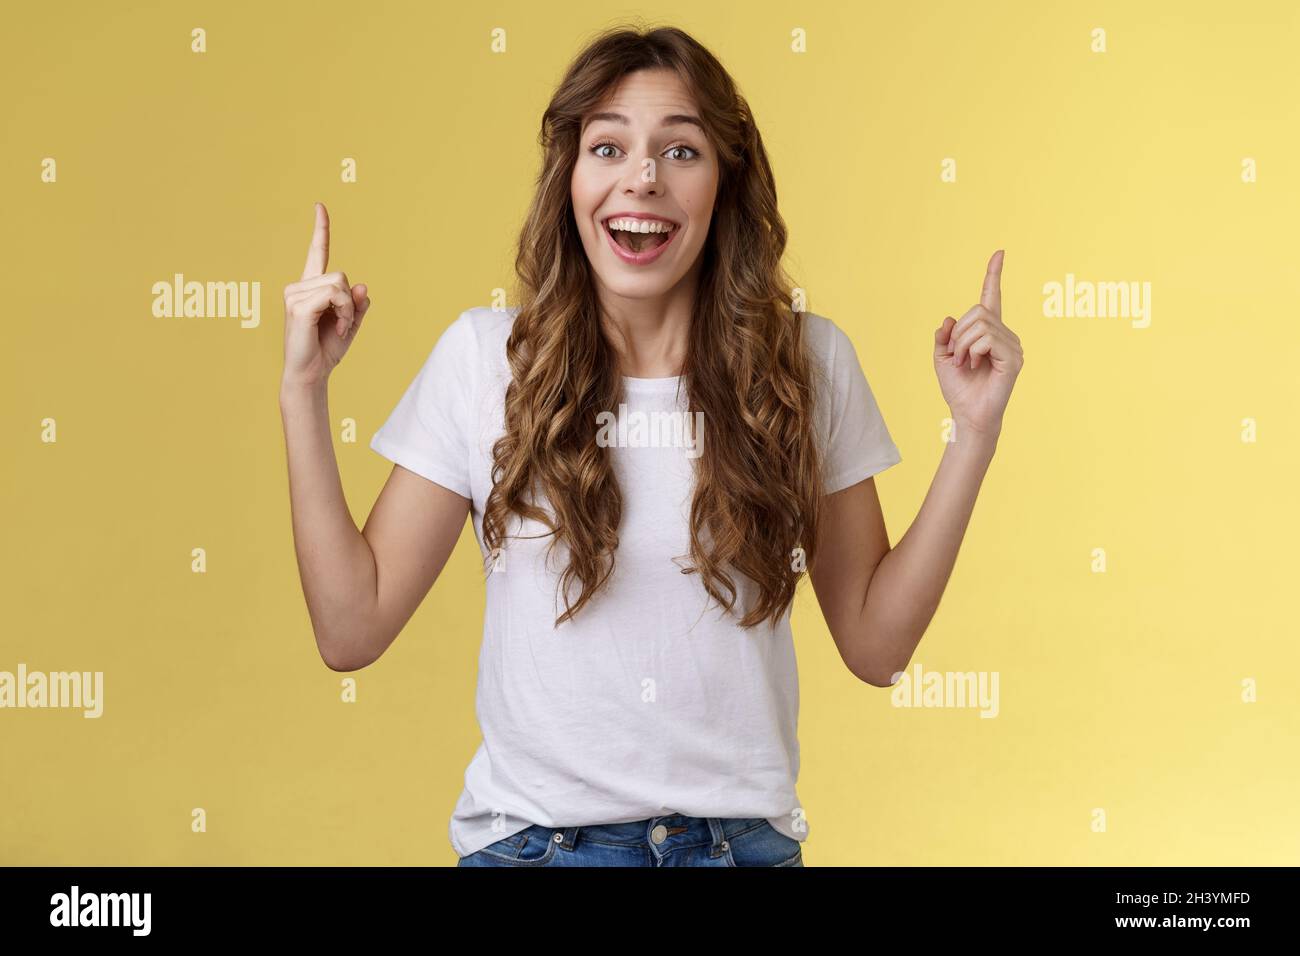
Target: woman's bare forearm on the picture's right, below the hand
[(909, 582)]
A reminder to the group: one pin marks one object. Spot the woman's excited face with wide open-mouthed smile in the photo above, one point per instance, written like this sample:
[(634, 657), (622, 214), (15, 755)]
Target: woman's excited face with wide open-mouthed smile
[(644, 187)]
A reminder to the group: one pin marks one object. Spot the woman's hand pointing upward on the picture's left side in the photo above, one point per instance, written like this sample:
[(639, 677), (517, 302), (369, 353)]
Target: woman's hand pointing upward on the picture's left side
[(323, 314)]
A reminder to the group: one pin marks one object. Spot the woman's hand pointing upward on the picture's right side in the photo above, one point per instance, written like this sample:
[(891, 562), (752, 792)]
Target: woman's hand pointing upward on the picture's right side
[(978, 358)]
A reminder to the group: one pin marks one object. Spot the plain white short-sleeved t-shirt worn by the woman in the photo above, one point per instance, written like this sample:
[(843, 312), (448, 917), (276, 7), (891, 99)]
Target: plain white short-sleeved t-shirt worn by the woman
[(651, 702)]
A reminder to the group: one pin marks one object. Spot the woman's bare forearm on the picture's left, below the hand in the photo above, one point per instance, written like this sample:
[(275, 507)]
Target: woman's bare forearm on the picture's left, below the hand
[(335, 561)]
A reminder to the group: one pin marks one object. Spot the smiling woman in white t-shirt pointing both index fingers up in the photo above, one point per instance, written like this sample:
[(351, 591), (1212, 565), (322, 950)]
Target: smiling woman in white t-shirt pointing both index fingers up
[(638, 687)]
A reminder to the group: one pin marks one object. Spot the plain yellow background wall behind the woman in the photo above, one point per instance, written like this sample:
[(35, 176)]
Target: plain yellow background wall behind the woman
[(1120, 691)]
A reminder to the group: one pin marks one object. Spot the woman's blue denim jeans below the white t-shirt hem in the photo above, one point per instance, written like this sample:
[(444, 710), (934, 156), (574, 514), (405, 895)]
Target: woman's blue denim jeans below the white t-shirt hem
[(675, 841)]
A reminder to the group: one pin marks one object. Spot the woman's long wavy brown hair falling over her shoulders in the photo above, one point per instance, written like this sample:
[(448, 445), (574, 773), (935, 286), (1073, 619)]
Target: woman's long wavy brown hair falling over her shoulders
[(759, 481)]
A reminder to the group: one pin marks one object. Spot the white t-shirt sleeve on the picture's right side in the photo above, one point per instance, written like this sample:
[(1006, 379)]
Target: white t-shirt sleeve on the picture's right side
[(859, 443)]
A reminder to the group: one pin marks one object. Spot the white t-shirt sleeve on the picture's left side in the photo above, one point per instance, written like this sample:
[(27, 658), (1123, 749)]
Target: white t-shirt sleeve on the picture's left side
[(430, 431)]
